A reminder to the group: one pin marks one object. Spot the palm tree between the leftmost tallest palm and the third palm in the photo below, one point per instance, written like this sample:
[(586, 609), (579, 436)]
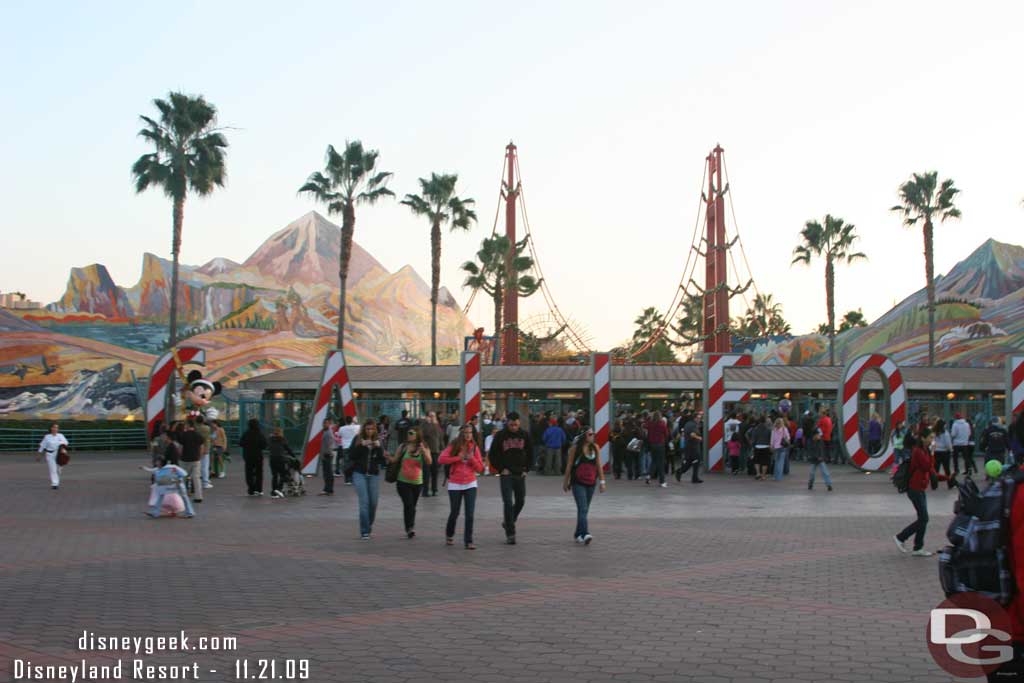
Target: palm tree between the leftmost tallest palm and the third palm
[(350, 178)]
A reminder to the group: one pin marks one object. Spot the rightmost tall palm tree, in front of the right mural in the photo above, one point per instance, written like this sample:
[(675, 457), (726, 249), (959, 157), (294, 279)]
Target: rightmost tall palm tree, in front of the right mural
[(924, 199)]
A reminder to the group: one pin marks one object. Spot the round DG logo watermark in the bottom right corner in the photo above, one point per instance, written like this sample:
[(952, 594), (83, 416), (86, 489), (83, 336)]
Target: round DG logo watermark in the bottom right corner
[(969, 636)]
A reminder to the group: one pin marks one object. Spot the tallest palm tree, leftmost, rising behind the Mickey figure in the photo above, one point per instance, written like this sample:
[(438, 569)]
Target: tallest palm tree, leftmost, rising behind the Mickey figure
[(189, 155)]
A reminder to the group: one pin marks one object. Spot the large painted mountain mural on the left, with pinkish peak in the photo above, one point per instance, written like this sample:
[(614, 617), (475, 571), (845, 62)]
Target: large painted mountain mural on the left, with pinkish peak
[(278, 309)]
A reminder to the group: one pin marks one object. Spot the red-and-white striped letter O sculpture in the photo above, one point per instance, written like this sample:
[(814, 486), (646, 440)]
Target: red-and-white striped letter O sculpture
[(894, 396)]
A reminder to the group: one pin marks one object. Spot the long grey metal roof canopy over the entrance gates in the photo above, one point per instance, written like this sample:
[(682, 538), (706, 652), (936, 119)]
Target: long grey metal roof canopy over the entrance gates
[(629, 378)]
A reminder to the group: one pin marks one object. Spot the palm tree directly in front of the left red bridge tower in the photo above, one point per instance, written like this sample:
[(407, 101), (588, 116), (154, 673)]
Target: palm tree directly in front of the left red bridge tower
[(492, 277)]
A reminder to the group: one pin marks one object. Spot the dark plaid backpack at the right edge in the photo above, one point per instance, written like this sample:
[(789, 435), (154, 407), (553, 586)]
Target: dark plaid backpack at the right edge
[(979, 560)]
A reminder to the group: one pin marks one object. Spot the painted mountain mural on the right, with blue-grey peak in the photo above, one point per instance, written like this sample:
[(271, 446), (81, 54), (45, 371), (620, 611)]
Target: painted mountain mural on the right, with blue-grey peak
[(979, 319)]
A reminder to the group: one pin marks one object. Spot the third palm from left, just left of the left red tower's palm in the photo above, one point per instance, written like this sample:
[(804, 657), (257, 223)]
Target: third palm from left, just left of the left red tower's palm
[(441, 205)]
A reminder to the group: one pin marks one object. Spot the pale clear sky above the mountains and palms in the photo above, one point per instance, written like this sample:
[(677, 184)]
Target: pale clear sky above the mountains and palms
[(822, 108)]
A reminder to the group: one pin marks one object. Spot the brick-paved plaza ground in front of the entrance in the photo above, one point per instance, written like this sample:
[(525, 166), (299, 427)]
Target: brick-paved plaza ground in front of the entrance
[(731, 581)]
